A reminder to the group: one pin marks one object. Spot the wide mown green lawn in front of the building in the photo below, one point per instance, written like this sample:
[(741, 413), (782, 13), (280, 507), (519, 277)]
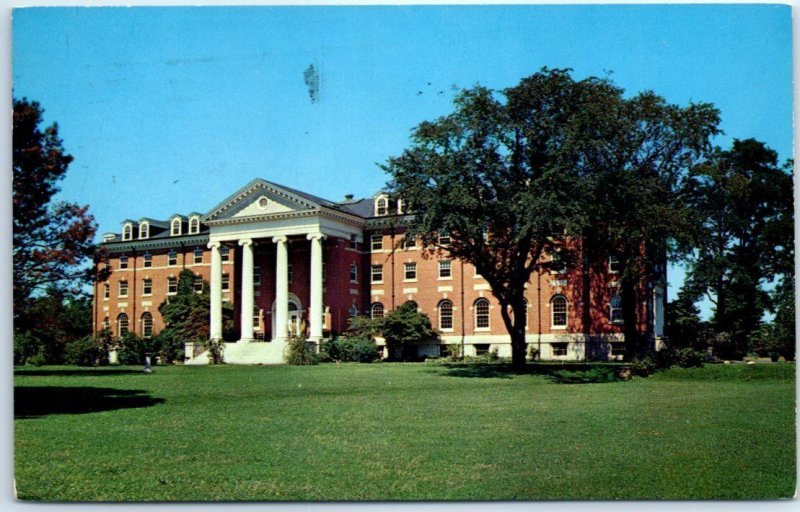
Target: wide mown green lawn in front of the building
[(401, 431)]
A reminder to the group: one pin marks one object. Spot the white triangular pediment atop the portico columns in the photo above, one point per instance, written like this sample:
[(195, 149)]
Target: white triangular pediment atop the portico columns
[(259, 198)]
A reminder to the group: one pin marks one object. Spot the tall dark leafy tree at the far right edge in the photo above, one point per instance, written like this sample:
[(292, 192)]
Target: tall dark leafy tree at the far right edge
[(747, 240)]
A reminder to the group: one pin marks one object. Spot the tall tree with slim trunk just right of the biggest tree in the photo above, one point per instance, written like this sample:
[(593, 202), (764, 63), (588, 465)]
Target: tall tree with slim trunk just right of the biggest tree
[(636, 172)]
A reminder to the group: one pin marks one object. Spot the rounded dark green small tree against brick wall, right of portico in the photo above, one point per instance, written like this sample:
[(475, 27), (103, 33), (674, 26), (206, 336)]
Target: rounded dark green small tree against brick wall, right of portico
[(405, 329)]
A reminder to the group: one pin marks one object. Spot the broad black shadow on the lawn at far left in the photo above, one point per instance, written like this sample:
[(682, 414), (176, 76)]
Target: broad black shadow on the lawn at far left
[(39, 401)]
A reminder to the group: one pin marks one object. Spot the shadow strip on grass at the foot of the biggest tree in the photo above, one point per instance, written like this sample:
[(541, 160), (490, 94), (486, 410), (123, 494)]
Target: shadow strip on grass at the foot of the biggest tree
[(561, 373)]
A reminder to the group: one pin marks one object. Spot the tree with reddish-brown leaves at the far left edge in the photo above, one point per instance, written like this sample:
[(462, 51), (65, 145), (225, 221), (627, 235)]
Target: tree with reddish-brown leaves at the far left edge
[(52, 241)]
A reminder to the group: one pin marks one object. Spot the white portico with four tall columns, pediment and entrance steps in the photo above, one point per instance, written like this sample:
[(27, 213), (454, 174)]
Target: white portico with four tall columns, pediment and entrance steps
[(266, 216)]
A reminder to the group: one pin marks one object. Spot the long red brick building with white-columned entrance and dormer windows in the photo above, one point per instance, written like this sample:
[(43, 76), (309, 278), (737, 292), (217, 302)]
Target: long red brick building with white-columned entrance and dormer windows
[(280, 256)]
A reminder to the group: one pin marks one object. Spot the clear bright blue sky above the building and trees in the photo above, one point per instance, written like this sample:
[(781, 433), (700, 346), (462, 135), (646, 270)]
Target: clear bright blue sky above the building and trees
[(172, 109)]
